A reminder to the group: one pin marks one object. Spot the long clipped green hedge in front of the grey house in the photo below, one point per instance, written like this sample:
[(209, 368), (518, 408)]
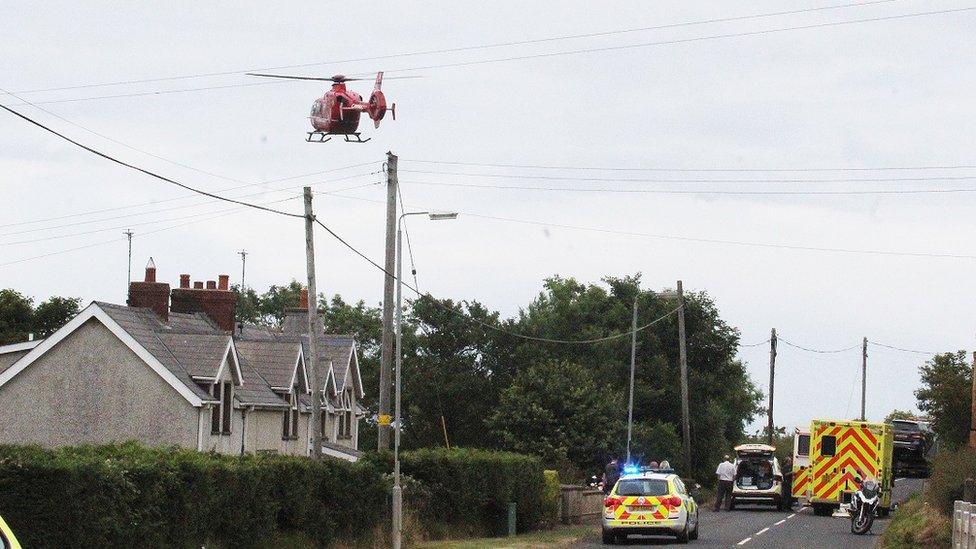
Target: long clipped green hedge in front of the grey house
[(131, 496)]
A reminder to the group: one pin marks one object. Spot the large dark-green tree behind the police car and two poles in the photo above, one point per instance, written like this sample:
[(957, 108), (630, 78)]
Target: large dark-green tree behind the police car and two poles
[(722, 397)]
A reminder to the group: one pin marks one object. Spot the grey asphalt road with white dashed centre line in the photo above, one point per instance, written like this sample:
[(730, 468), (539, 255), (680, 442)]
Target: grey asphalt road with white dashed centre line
[(757, 527)]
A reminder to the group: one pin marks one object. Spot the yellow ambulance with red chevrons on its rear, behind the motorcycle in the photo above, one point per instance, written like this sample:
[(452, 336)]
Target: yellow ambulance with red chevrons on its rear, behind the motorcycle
[(841, 454)]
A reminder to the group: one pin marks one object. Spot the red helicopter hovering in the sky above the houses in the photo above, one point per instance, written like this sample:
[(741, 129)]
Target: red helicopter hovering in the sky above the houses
[(337, 112)]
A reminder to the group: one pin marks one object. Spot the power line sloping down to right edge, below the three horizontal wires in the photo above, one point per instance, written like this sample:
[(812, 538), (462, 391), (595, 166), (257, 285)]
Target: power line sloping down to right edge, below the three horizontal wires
[(700, 239)]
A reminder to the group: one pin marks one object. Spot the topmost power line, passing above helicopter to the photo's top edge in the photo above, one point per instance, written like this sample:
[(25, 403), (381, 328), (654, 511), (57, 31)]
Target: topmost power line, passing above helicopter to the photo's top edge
[(461, 48)]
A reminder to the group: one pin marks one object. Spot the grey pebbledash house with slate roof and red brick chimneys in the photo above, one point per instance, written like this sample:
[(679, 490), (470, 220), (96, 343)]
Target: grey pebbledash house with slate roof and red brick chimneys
[(172, 368)]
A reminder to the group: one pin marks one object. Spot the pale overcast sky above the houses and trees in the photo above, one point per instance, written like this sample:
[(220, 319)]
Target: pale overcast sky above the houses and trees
[(895, 92)]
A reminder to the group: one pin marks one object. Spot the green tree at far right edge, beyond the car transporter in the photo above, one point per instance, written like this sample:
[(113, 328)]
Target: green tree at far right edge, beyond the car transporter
[(946, 395)]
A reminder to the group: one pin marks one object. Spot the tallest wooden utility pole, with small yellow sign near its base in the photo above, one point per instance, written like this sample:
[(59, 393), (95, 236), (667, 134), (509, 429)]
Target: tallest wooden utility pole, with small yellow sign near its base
[(386, 354)]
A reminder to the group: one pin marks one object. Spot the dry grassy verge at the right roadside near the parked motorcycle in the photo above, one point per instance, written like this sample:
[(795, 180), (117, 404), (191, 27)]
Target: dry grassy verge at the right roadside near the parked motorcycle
[(917, 524)]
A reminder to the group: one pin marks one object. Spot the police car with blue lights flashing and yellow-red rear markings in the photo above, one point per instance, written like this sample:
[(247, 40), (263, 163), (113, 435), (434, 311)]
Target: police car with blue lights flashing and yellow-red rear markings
[(649, 502)]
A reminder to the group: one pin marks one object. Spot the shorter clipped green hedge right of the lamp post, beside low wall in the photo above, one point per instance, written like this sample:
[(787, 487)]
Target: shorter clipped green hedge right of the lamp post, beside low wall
[(469, 490)]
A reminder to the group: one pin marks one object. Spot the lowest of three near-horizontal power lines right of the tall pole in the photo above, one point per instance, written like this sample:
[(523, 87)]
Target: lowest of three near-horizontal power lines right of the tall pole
[(694, 192)]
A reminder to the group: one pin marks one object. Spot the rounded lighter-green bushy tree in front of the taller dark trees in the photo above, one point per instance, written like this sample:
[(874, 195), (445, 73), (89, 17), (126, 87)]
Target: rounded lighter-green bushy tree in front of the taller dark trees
[(559, 411)]
